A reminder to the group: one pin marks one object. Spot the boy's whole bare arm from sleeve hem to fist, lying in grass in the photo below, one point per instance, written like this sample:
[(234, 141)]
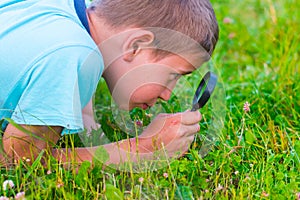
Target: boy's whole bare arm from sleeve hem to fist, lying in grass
[(173, 131)]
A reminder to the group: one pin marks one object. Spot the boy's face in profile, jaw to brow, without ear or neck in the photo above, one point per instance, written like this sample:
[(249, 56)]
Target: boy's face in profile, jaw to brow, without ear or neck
[(142, 82)]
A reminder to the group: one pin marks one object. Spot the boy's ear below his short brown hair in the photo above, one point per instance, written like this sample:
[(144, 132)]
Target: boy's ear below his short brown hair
[(137, 41)]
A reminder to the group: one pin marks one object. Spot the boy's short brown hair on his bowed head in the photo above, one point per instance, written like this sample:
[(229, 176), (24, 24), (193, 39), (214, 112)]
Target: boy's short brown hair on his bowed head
[(192, 18)]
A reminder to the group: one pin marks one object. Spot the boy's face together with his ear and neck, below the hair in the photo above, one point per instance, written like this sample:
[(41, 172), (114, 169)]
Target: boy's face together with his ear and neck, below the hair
[(135, 77)]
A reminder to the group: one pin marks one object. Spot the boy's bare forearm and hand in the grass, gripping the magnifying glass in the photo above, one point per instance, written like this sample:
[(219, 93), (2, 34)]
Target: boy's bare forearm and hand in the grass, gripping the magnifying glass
[(168, 135)]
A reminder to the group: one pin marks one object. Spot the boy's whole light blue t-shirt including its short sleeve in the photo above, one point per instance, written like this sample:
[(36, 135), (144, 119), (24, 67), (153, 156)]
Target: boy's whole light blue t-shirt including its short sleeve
[(49, 65)]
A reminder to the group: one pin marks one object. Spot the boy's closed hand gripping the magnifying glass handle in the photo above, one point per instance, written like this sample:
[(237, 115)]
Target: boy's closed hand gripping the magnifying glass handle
[(174, 132)]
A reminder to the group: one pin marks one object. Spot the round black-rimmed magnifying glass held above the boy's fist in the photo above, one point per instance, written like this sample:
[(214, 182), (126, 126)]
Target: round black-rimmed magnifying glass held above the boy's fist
[(204, 90)]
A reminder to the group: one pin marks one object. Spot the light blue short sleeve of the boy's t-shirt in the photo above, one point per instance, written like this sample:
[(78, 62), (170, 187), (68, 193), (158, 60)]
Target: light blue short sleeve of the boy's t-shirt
[(60, 85)]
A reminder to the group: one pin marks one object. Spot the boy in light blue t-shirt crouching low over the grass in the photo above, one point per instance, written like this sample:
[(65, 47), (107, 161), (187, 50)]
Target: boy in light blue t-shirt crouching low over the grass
[(50, 66)]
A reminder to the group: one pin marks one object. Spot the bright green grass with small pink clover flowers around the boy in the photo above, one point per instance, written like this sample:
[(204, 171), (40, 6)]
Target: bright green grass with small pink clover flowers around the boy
[(257, 153)]
